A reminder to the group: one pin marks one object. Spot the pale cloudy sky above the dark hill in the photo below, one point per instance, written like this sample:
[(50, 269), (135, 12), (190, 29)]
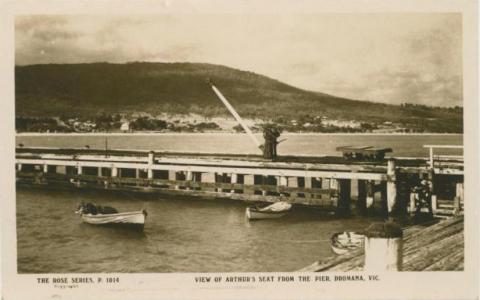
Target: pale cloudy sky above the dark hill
[(392, 58)]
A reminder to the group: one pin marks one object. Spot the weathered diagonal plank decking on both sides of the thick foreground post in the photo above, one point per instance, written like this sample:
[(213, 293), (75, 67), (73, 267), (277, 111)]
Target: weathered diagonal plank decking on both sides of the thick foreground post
[(439, 247)]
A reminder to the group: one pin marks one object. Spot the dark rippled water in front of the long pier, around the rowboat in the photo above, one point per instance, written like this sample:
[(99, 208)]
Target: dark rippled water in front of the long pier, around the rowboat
[(181, 235)]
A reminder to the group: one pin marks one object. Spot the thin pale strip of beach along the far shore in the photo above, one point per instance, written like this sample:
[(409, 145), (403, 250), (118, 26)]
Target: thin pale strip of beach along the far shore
[(223, 133)]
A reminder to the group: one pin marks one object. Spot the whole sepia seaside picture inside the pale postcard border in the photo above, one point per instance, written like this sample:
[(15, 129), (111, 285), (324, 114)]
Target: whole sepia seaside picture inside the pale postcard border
[(321, 143)]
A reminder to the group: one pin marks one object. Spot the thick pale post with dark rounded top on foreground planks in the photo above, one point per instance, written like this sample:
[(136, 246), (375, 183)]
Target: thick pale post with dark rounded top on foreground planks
[(383, 247)]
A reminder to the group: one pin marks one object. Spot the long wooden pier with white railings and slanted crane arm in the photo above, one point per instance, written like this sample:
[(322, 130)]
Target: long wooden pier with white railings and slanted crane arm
[(328, 182)]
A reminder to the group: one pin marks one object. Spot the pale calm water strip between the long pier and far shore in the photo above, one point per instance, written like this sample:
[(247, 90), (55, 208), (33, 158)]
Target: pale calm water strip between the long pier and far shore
[(296, 144)]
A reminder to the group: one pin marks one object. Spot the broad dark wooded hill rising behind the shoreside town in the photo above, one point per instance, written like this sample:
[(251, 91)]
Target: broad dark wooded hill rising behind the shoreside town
[(89, 89)]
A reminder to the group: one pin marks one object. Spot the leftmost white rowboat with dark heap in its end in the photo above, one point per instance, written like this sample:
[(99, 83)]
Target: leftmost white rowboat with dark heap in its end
[(134, 219)]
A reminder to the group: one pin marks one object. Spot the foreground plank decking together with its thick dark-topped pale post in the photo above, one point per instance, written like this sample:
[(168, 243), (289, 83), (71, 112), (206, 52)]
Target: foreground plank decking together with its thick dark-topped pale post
[(437, 247)]
